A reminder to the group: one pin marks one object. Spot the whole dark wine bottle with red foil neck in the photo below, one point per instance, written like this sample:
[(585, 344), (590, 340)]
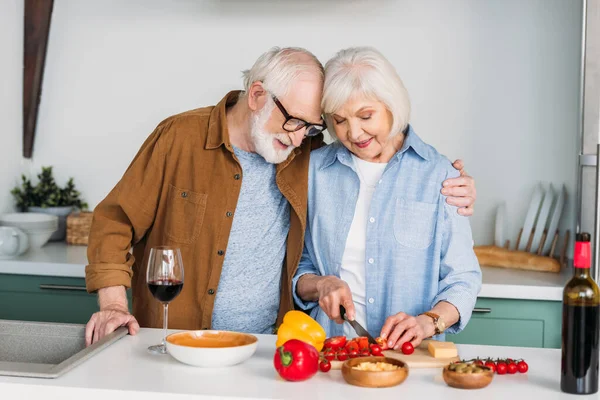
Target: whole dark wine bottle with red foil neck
[(580, 325)]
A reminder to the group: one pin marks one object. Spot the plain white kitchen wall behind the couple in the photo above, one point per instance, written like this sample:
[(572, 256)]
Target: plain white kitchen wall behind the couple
[(493, 82)]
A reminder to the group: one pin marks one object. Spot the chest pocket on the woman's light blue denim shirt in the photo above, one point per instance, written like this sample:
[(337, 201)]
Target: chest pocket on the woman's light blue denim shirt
[(414, 223)]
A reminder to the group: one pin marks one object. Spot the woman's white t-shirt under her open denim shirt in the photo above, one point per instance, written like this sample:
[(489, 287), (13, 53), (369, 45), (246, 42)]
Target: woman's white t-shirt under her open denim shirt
[(353, 261)]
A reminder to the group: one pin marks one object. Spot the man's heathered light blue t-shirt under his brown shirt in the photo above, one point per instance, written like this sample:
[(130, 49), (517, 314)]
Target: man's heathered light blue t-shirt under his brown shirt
[(249, 287)]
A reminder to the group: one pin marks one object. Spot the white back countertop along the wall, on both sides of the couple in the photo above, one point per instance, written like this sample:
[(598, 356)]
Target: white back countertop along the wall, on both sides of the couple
[(60, 259)]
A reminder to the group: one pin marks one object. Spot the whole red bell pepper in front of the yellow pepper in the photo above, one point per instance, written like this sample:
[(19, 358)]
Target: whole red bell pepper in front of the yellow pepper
[(296, 360)]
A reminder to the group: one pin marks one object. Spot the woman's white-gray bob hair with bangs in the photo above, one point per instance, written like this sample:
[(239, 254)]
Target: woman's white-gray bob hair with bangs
[(364, 71)]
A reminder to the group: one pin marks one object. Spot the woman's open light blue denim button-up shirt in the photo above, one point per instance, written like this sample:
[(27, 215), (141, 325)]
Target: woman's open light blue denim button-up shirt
[(419, 250)]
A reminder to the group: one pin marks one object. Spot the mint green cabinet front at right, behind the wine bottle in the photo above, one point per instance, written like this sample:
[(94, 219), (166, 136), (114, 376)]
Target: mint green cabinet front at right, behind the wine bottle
[(508, 322)]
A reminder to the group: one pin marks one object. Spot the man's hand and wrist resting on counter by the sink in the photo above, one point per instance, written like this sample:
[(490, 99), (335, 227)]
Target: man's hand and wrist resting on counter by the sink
[(113, 314)]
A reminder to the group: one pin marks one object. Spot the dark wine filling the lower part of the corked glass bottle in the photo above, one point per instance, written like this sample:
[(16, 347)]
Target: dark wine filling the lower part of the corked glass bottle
[(580, 349)]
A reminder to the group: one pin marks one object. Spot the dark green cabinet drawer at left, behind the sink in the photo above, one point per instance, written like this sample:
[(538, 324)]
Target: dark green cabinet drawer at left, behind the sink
[(45, 298)]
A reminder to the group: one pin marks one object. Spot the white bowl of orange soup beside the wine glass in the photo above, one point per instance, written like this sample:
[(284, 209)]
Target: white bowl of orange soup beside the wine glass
[(211, 348)]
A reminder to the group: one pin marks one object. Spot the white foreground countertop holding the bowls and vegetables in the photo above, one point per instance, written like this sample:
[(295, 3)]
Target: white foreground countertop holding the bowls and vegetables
[(126, 371)]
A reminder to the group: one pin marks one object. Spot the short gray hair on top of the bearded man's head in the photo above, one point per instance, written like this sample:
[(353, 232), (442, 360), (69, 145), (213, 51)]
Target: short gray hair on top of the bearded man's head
[(278, 68)]
